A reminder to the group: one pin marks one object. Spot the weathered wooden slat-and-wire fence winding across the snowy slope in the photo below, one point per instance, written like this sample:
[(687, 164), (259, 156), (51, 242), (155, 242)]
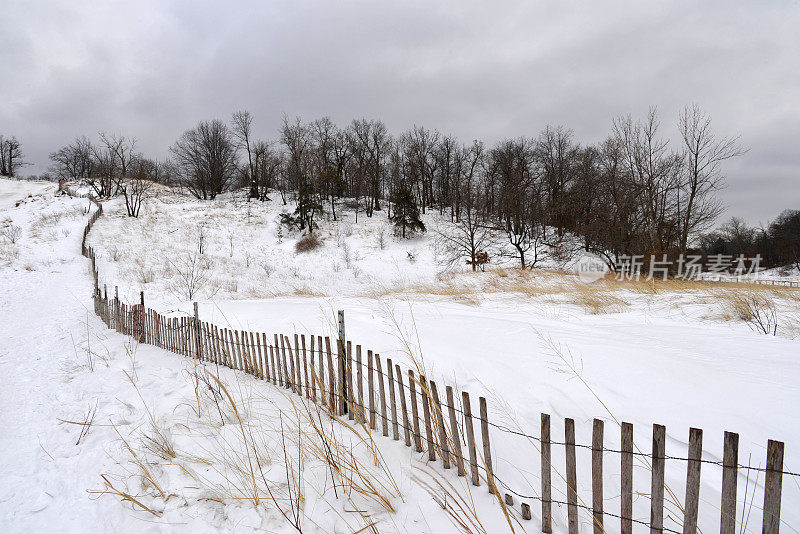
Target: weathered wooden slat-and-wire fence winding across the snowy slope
[(350, 382)]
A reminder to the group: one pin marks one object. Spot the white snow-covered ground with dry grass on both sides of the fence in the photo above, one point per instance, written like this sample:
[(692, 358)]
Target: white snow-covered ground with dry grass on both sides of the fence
[(531, 342)]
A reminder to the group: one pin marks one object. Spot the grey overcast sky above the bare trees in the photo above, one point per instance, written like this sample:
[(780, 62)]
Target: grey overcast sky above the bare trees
[(485, 70)]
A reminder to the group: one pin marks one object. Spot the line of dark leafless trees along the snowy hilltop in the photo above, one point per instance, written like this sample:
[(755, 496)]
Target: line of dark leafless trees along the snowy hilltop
[(632, 193)]
